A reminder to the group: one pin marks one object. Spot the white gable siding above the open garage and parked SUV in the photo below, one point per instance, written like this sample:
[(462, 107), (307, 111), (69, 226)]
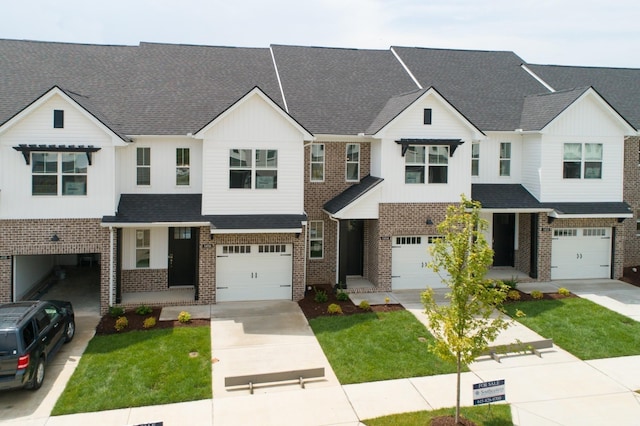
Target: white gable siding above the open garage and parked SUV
[(37, 128)]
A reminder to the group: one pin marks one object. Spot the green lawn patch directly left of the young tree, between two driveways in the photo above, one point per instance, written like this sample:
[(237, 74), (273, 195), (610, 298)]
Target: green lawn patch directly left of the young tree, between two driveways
[(372, 346)]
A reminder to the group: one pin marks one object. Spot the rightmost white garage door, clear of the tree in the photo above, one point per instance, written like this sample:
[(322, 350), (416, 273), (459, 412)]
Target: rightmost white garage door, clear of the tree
[(581, 253)]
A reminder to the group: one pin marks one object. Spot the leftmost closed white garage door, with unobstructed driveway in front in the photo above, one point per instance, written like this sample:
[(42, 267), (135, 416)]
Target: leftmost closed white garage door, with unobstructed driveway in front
[(253, 272)]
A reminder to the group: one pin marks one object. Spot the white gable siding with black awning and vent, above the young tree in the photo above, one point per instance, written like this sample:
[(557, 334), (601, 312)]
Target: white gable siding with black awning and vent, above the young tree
[(409, 125)]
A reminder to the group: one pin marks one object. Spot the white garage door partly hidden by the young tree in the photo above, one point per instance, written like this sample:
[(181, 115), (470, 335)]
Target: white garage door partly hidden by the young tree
[(409, 259)]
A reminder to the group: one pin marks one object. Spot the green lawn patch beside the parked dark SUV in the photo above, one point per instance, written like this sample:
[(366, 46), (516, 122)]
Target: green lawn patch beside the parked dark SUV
[(140, 368)]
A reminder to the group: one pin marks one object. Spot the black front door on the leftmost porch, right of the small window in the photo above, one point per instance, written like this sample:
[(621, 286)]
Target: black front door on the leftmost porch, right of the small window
[(182, 256)]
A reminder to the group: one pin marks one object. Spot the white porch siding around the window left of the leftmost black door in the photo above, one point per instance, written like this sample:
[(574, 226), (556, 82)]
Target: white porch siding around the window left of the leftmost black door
[(159, 247)]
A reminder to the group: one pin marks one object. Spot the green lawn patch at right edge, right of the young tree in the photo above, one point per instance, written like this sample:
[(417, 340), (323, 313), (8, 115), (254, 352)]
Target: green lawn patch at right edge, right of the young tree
[(581, 327)]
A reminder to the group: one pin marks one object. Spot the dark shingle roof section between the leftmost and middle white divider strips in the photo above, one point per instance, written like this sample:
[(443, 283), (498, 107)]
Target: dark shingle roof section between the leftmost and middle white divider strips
[(339, 91)]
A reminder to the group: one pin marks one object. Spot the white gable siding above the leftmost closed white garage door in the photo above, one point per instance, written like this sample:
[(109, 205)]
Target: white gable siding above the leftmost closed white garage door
[(253, 125)]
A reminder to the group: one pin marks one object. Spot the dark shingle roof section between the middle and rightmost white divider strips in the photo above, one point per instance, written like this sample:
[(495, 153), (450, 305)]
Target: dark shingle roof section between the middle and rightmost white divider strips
[(487, 87)]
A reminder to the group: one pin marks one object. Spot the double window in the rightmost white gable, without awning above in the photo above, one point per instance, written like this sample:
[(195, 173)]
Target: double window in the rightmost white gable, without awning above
[(582, 161)]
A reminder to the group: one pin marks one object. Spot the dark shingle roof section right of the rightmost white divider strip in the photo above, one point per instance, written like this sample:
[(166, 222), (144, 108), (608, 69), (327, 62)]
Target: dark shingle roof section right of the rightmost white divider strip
[(619, 86)]
